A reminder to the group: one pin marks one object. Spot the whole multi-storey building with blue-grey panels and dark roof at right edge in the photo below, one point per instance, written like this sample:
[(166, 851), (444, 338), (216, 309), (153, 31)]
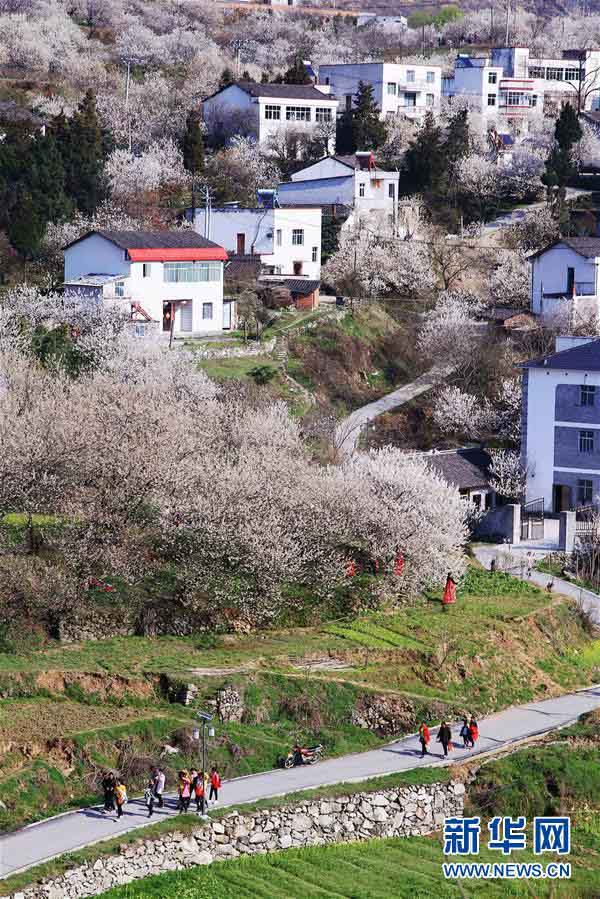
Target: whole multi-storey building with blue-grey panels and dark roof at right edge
[(561, 425)]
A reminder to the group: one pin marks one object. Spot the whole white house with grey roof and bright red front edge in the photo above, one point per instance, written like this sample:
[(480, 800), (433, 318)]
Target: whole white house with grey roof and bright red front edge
[(170, 281)]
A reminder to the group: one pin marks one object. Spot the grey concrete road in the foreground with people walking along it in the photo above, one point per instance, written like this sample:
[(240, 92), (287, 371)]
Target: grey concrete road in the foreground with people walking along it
[(65, 833)]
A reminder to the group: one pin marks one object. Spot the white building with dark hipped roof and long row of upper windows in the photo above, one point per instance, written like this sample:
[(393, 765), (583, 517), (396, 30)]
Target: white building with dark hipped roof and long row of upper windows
[(266, 110)]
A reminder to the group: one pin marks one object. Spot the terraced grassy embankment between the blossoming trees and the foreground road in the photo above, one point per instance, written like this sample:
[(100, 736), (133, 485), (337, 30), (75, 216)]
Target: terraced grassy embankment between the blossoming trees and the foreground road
[(69, 710)]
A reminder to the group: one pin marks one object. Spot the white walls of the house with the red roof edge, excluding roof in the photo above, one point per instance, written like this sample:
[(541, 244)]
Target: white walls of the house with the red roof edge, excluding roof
[(198, 305)]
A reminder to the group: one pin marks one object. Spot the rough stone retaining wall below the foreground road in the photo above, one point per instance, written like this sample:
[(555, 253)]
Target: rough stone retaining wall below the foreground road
[(389, 813)]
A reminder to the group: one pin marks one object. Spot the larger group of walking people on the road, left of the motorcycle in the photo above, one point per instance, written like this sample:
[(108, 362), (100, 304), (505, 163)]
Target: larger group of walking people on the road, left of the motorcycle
[(192, 784)]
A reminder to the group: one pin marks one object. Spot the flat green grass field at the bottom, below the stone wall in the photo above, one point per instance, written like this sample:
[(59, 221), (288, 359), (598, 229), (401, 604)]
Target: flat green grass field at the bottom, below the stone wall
[(380, 869)]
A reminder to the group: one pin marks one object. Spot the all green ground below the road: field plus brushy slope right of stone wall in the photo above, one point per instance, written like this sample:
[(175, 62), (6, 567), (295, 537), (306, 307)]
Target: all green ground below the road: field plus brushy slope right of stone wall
[(561, 777)]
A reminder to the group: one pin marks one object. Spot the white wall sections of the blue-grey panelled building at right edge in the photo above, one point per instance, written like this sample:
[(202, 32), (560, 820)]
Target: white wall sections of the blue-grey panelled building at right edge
[(540, 401)]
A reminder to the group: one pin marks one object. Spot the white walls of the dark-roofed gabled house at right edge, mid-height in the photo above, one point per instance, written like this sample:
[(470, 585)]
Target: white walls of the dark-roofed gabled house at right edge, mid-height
[(564, 281)]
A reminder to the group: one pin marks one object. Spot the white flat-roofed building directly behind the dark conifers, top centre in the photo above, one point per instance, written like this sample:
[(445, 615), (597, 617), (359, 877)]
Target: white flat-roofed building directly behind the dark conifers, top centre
[(398, 89)]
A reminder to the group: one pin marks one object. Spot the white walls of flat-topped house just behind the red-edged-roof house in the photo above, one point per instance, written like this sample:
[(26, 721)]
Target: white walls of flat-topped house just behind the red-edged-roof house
[(288, 240)]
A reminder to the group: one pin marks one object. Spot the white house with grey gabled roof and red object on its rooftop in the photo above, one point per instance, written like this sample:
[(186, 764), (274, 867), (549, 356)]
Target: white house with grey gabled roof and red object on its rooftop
[(352, 181)]
